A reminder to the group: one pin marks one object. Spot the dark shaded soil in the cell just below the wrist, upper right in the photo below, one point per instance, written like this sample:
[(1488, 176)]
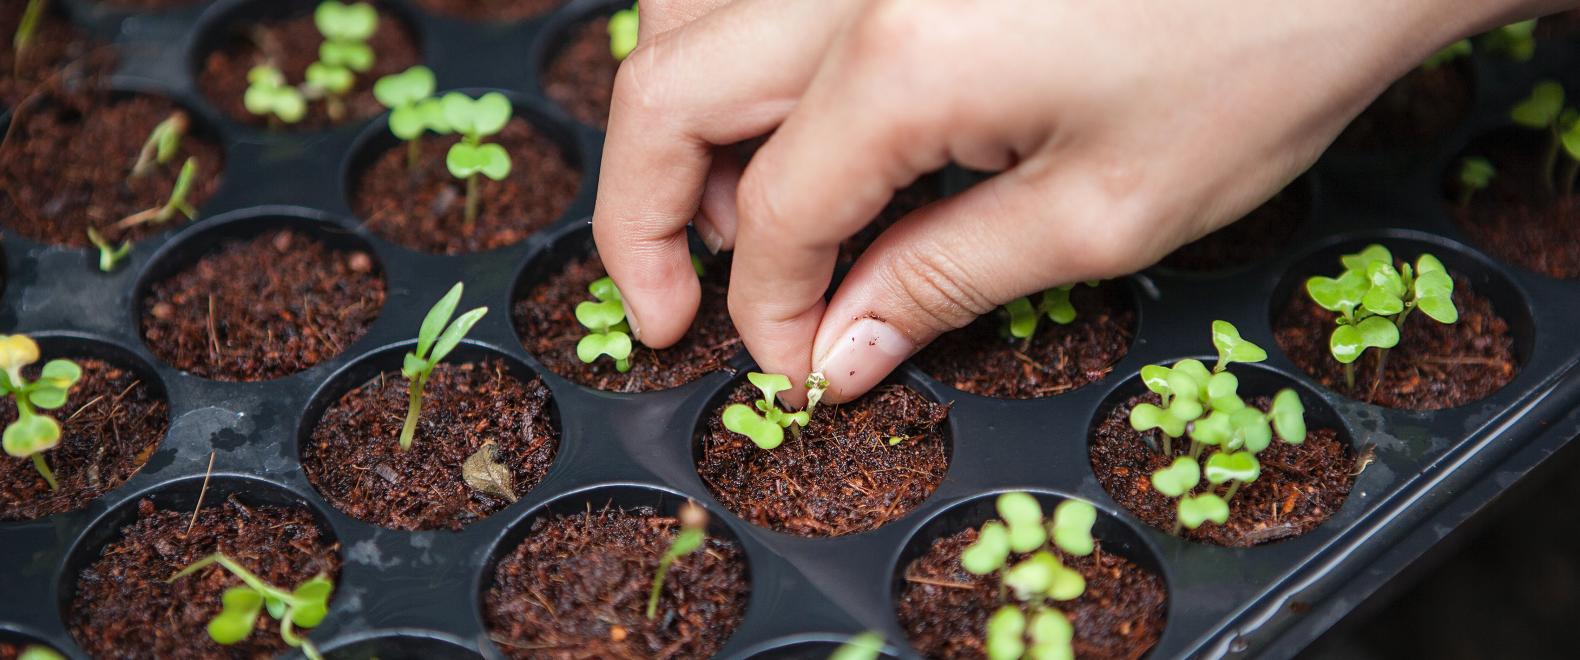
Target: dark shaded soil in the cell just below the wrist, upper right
[(1416, 110)]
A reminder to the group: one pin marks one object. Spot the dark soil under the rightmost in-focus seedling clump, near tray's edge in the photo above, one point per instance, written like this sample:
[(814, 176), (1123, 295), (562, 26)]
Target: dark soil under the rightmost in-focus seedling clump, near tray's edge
[(1434, 367)]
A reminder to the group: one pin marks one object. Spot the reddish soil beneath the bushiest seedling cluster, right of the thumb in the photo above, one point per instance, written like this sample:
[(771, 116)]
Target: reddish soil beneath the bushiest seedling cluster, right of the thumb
[(1300, 489)]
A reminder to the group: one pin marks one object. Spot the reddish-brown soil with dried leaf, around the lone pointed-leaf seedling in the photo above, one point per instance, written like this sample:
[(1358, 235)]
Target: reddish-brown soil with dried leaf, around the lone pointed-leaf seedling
[(356, 462)]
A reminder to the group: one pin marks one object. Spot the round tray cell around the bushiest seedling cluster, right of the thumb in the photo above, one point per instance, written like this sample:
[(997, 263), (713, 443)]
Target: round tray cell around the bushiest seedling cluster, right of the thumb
[(1300, 489)]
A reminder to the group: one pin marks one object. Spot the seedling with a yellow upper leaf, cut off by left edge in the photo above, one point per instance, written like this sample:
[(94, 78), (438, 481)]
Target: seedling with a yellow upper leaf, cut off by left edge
[(34, 433)]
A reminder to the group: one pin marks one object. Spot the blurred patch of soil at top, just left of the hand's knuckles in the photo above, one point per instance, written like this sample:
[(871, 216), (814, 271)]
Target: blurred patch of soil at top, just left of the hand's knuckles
[(582, 75)]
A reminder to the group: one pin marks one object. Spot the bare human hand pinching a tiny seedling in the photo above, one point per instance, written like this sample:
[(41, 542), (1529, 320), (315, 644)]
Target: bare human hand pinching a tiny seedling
[(1119, 130)]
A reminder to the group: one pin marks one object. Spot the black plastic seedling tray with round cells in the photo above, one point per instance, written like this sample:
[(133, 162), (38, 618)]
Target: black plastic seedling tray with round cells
[(419, 594)]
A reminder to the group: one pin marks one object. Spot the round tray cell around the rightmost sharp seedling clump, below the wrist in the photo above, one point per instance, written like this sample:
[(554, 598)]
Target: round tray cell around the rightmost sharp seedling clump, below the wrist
[(1435, 366)]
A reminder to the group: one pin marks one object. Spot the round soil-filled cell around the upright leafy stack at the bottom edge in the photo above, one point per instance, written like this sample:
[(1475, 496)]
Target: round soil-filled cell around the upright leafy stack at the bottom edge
[(946, 610)]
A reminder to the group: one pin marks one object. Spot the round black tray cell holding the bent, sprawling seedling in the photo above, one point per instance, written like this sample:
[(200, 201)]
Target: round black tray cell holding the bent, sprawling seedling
[(116, 594)]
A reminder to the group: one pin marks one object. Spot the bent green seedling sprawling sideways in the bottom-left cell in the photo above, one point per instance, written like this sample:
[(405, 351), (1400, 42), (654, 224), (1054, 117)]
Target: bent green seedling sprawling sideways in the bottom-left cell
[(304, 607)]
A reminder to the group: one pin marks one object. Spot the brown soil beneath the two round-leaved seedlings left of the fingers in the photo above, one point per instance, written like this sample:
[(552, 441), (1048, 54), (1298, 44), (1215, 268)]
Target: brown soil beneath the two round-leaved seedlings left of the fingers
[(426, 209)]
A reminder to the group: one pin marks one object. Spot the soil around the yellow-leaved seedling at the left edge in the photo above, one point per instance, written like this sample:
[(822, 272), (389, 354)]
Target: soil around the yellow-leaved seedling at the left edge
[(110, 426)]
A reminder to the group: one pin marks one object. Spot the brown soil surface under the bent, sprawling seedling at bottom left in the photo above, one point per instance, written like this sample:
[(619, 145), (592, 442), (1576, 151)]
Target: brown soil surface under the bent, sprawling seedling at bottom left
[(124, 609)]
